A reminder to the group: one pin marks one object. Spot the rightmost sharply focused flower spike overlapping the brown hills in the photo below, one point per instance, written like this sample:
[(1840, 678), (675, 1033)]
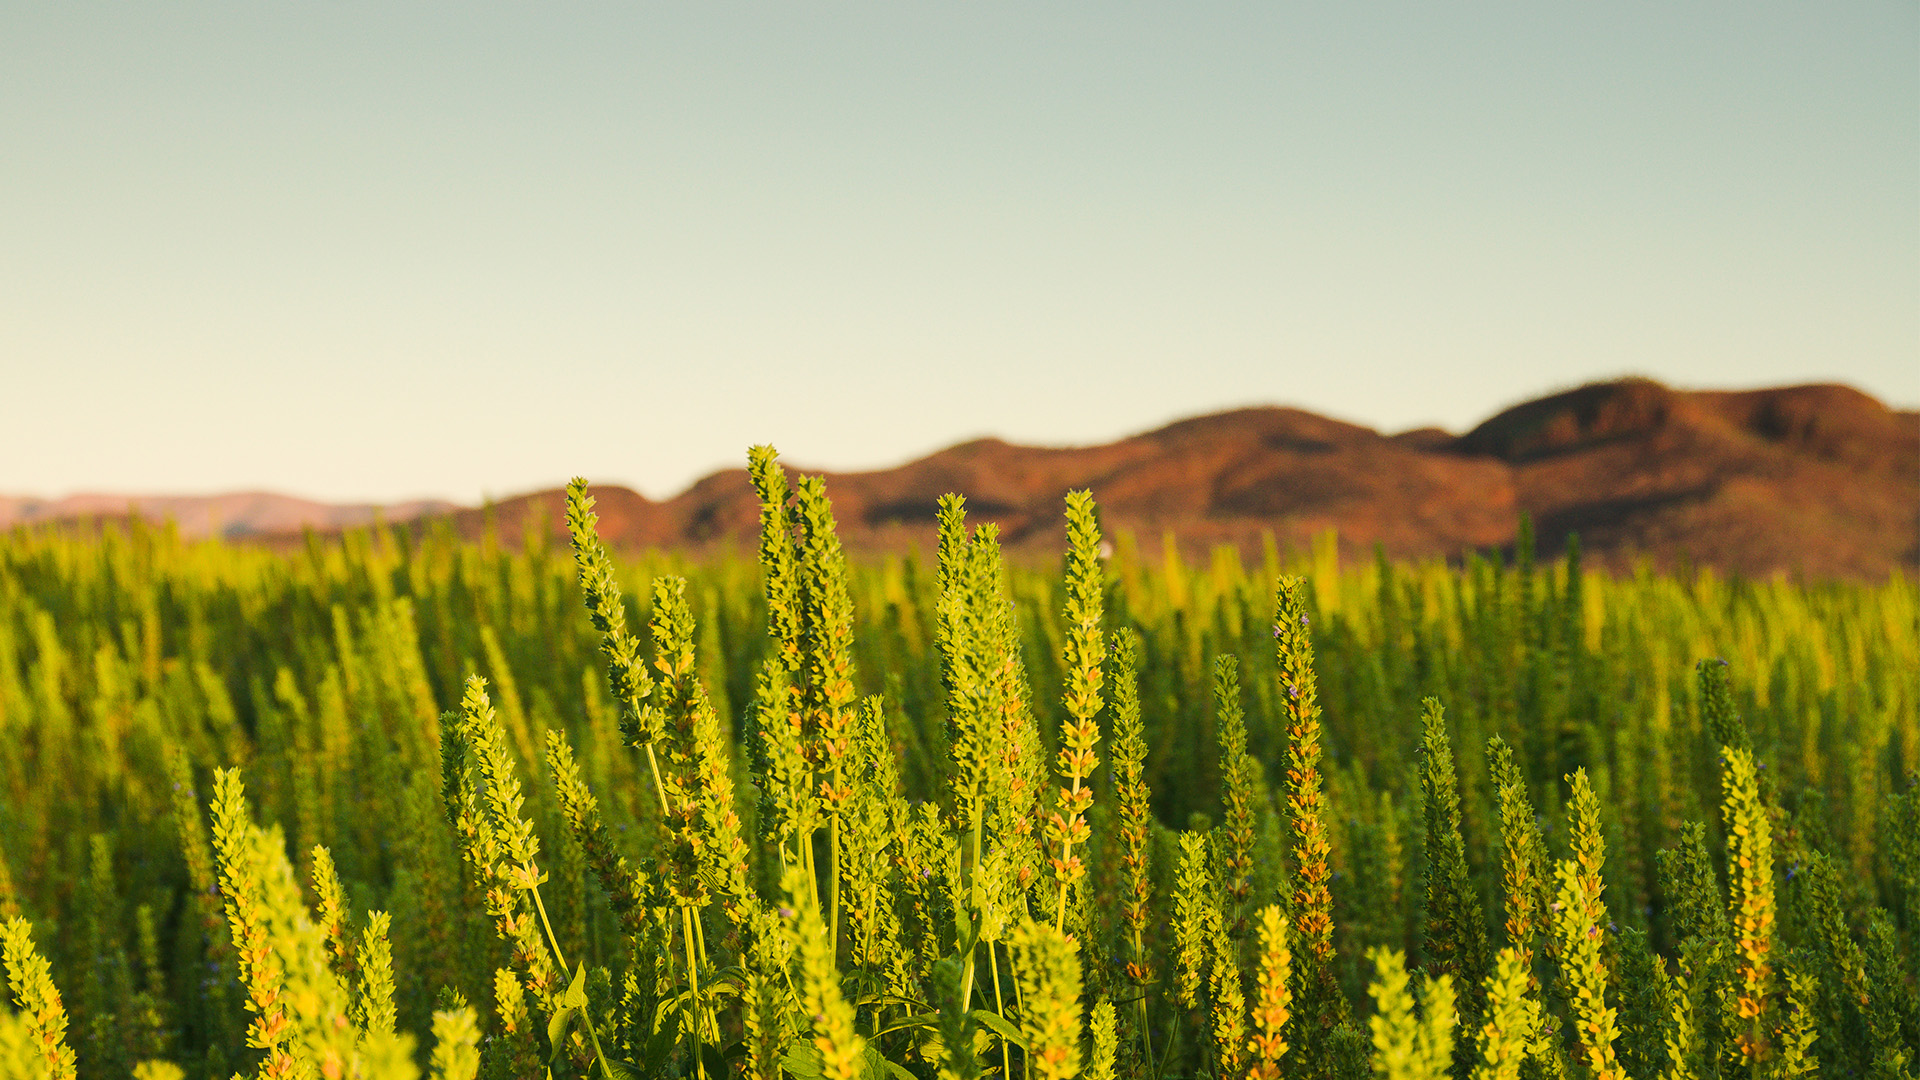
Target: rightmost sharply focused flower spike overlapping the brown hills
[(1084, 658)]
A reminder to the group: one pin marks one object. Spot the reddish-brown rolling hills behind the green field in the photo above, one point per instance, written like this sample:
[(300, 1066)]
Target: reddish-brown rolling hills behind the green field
[(1808, 479)]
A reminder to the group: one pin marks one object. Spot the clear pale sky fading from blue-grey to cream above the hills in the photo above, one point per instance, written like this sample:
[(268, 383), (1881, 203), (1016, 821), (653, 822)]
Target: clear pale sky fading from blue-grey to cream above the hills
[(385, 251)]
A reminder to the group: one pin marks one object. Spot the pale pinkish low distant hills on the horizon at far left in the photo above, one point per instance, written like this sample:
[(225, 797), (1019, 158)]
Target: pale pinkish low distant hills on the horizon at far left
[(233, 516)]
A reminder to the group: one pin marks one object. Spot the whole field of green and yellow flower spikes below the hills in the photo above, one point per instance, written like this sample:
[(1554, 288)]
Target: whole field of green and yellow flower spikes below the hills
[(402, 806)]
